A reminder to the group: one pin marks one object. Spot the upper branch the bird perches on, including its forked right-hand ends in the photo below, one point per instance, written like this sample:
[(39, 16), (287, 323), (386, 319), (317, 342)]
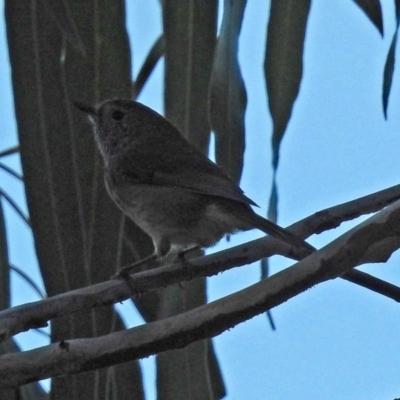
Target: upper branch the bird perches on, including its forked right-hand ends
[(36, 314)]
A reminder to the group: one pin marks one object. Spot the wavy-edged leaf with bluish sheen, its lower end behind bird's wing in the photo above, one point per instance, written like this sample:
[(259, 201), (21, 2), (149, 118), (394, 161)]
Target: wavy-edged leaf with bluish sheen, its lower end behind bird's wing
[(228, 97)]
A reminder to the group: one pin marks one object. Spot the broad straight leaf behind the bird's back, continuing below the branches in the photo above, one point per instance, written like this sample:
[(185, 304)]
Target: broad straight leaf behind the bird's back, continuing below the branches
[(189, 32)]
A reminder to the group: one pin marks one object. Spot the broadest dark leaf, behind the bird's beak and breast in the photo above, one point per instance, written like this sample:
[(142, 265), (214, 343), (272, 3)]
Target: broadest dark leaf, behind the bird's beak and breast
[(76, 227)]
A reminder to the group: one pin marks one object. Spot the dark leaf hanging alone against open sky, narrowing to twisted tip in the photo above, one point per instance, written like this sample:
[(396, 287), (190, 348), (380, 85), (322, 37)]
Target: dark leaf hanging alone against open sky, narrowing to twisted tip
[(283, 64)]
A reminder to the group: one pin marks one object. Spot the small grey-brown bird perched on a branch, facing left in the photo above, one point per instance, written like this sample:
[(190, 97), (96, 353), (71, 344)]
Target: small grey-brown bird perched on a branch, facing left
[(166, 186)]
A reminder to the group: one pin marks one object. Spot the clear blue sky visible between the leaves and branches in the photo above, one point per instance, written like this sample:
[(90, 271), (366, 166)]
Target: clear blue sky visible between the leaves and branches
[(336, 340)]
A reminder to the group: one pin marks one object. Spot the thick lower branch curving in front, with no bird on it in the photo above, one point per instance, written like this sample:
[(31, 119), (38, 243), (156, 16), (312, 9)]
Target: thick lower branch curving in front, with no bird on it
[(349, 250)]
